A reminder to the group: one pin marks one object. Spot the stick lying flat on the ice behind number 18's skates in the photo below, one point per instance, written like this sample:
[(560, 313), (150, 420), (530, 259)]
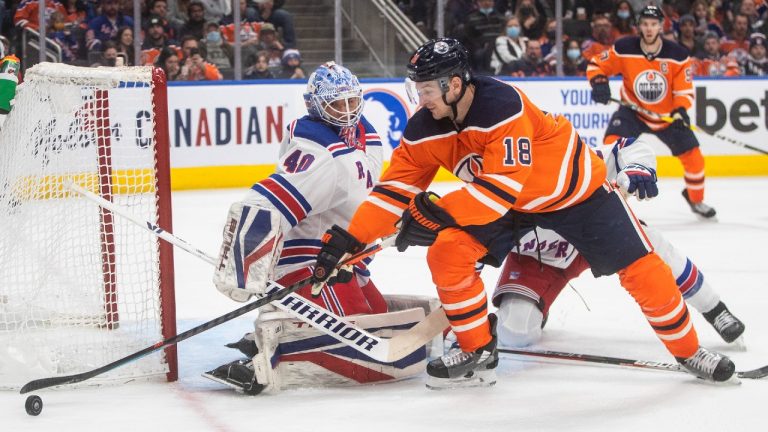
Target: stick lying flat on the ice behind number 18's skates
[(616, 361)]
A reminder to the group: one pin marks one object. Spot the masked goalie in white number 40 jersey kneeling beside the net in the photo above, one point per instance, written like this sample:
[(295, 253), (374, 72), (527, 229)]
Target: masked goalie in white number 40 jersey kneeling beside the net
[(328, 163)]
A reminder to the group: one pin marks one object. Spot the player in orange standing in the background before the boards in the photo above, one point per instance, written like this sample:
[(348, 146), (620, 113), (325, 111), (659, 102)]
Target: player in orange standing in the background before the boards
[(658, 76)]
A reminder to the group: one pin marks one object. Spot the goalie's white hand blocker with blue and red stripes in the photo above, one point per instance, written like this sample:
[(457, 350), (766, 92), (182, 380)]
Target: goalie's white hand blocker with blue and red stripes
[(249, 252)]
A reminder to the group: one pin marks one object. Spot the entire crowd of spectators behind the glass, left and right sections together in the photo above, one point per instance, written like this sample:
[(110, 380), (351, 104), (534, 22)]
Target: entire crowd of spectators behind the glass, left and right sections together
[(193, 39)]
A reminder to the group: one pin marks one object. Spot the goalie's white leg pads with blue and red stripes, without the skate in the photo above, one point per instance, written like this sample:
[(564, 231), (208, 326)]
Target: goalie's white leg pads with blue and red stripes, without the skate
[(301, 356)]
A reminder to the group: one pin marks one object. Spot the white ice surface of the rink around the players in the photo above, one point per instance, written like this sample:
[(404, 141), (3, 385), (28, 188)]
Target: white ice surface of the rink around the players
[(531, 394)]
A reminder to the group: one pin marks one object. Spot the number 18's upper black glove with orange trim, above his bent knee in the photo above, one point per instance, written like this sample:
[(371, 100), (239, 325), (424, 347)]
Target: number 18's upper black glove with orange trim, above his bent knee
[(421, 222)]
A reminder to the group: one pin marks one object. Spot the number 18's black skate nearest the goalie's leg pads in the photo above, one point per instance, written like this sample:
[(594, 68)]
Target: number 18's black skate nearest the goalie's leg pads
[(465, 369)]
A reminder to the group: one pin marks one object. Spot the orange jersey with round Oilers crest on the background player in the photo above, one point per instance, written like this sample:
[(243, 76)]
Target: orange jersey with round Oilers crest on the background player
[(660, 84)]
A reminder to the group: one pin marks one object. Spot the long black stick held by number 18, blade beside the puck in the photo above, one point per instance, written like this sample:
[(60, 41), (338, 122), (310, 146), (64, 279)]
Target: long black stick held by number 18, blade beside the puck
[(276, 295)]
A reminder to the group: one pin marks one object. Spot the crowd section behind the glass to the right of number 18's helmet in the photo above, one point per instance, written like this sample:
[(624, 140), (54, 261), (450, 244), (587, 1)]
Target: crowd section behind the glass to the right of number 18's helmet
[(517, 37)]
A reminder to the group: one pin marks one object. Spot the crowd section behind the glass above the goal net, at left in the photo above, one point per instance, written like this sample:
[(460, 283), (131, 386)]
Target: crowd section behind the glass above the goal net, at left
[(191, 40)]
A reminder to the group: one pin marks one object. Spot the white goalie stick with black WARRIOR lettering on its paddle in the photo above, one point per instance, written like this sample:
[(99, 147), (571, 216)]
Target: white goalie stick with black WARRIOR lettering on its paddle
[(381, 349)]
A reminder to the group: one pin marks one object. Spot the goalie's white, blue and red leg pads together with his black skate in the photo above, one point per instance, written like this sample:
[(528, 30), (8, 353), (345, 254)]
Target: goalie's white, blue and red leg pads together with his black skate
[(291, 354)]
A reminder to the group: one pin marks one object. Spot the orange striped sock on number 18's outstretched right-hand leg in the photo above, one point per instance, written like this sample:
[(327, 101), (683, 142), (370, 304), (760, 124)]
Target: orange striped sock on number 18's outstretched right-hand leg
[(650, 282)]
